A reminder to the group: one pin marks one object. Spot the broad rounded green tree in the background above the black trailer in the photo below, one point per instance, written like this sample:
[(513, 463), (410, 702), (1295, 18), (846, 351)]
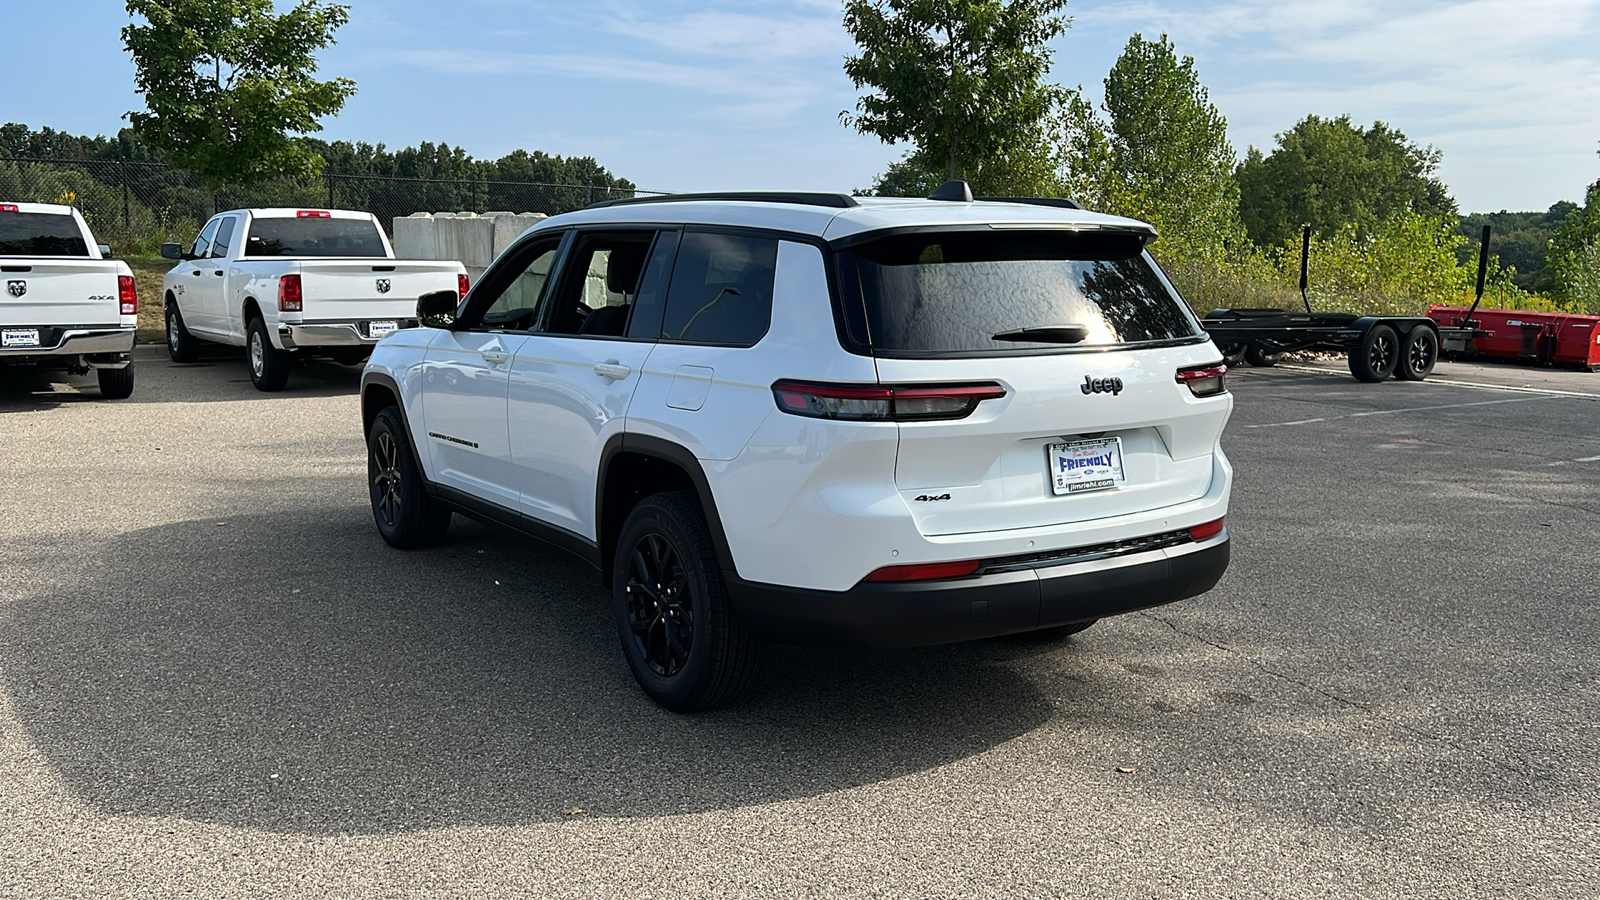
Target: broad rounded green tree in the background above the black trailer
[(1330, 174)]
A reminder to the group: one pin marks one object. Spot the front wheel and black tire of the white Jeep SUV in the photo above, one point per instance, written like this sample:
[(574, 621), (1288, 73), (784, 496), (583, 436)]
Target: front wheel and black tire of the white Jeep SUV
[(406, 515)]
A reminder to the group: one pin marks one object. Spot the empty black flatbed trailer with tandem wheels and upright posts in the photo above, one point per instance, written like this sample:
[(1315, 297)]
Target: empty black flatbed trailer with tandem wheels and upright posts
[(1378, 347)]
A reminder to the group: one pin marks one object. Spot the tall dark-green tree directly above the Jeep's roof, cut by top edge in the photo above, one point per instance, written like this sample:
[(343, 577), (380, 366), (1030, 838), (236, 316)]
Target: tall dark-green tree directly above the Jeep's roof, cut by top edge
[(962, 81)]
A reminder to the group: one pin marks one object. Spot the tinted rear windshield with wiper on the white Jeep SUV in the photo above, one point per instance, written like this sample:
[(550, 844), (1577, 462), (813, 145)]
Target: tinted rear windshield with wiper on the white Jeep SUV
[(954, 292)]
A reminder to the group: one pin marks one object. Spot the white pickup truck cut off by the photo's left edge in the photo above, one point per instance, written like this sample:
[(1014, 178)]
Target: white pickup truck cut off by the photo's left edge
[(65, 303)]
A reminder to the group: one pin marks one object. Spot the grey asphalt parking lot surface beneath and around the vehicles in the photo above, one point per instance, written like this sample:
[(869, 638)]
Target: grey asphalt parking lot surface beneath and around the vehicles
[(217, 681)]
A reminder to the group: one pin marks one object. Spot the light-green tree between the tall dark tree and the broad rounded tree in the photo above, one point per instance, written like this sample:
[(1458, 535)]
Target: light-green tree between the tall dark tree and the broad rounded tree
[(1161, 151)]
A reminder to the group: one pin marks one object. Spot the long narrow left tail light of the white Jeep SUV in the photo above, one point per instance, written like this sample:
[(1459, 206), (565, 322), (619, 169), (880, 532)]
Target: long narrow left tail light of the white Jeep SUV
[(878, 403)]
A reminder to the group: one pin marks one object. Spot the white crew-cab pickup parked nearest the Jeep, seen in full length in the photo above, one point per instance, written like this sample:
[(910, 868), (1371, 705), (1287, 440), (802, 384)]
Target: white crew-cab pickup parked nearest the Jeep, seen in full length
[(292, 283)]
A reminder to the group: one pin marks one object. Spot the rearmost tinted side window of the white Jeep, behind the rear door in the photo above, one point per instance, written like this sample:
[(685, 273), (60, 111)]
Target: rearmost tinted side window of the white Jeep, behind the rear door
[(722, 291)]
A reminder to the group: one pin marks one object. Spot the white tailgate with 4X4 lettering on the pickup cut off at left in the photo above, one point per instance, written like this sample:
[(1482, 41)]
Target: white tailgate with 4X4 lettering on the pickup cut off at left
[(60, 292)]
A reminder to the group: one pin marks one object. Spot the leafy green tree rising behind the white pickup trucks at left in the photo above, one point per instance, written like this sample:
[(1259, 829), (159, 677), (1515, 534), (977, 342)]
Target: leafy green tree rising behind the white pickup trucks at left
[(228, 86)]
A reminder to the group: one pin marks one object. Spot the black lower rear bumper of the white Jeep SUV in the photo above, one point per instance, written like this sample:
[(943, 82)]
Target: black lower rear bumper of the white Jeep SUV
[(985, 606)]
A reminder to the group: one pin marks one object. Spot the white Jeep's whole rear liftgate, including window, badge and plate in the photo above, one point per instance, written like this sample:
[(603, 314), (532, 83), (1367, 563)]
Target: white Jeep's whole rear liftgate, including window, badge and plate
[(1095, 422)]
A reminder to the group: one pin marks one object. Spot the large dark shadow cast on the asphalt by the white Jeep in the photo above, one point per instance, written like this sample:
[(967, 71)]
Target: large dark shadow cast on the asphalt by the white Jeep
[(292, 673)]
